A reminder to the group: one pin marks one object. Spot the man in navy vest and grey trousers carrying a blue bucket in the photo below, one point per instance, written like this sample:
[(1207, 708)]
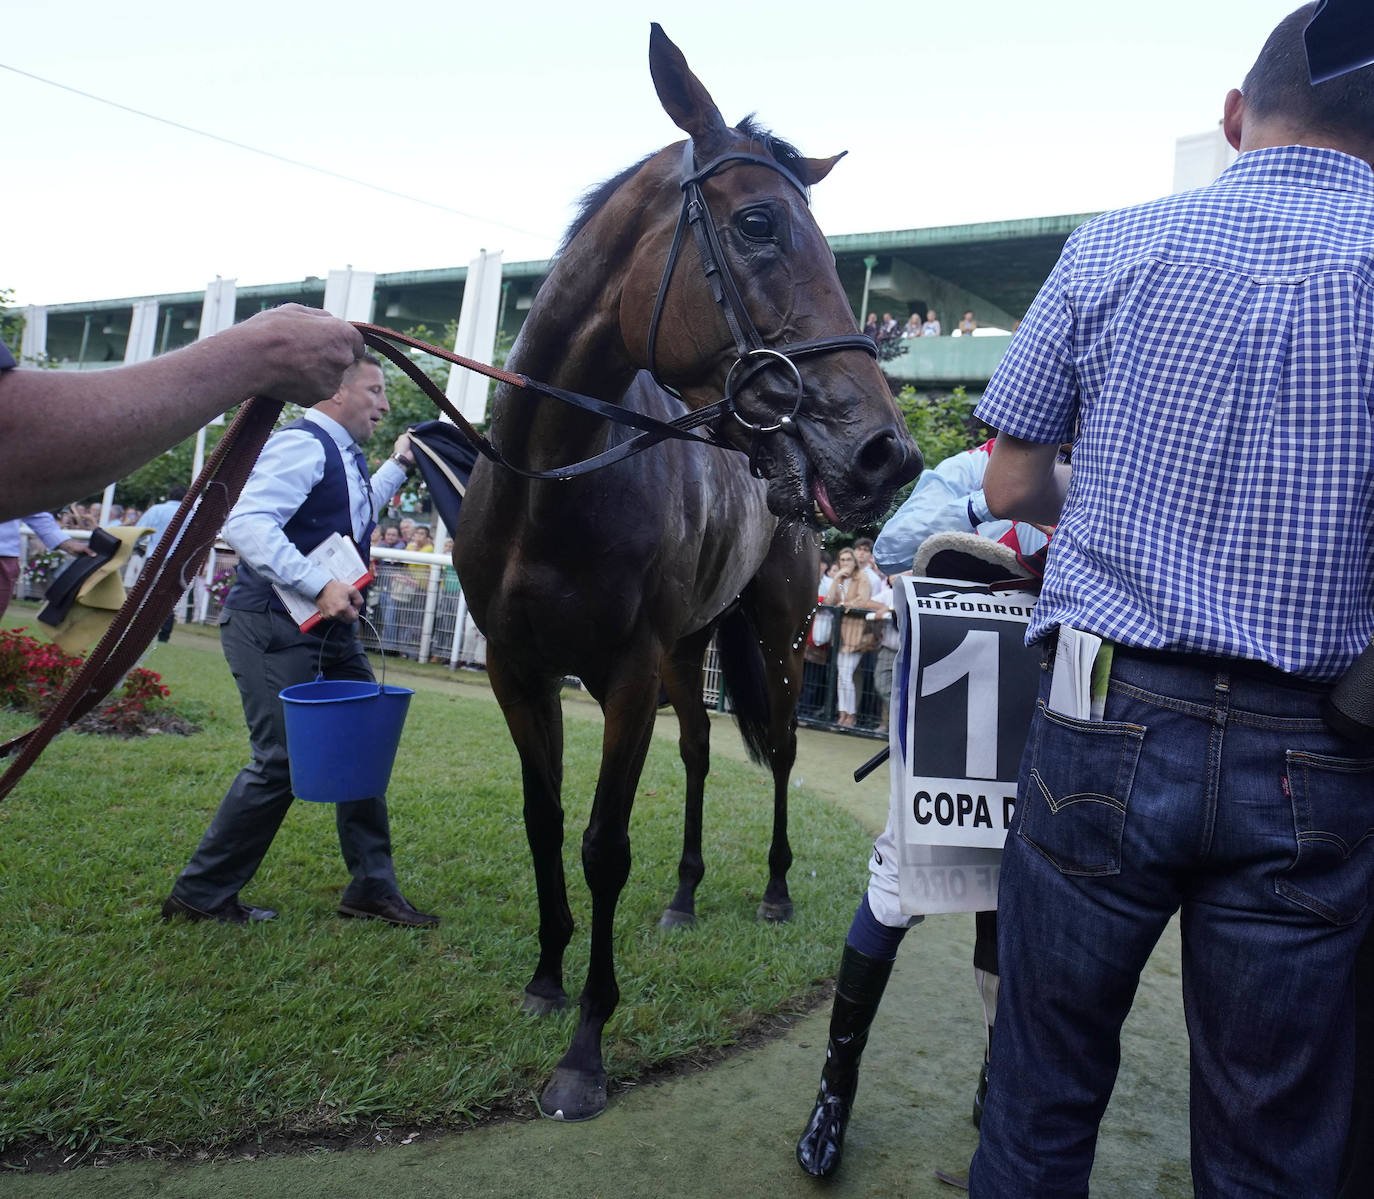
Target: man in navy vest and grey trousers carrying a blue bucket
[(310, 483)]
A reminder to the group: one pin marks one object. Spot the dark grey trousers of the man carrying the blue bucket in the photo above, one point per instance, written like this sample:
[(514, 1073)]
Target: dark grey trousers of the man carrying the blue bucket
[(267, 653)]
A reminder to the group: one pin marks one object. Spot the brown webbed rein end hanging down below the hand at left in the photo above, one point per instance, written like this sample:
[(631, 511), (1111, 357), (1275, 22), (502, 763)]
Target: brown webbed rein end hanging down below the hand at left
[(182, 551)]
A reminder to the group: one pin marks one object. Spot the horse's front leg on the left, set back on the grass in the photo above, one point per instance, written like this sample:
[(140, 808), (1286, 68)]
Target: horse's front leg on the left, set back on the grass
[(535, 719)]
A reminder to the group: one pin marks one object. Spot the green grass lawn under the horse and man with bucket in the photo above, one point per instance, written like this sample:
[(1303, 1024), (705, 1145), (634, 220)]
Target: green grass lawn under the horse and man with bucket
[(119, 1029)]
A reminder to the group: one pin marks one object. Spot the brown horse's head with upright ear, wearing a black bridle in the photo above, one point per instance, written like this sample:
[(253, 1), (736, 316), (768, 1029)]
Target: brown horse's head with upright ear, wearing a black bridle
[(733, 290)]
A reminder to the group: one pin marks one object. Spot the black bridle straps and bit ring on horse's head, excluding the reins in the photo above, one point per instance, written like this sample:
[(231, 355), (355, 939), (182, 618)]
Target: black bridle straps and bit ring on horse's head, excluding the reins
[(754, 356)]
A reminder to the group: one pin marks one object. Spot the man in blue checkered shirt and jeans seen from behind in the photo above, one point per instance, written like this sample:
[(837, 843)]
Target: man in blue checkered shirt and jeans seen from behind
[(1213, 358)]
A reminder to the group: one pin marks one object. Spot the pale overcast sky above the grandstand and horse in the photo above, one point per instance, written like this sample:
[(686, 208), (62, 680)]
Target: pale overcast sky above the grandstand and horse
[(953, 112)]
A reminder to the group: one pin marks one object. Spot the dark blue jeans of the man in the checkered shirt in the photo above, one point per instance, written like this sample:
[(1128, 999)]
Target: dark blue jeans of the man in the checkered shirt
[(1218, 793)]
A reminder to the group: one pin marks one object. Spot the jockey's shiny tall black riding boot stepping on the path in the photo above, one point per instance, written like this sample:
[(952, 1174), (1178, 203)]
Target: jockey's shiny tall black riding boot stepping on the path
[(858, 994)]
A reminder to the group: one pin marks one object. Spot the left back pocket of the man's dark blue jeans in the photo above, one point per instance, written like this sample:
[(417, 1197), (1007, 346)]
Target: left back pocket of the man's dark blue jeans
[(1078, 789)]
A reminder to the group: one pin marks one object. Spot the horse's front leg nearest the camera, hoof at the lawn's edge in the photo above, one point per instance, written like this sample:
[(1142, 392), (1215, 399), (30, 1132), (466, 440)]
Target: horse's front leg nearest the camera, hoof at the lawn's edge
[(578, 1087)]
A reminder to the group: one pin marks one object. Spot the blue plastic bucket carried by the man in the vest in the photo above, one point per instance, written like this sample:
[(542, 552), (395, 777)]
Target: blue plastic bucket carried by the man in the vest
[(341, 738)]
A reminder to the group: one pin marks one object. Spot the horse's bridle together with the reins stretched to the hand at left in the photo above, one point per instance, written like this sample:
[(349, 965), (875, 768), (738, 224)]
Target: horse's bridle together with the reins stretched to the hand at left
[(701, 425)]
